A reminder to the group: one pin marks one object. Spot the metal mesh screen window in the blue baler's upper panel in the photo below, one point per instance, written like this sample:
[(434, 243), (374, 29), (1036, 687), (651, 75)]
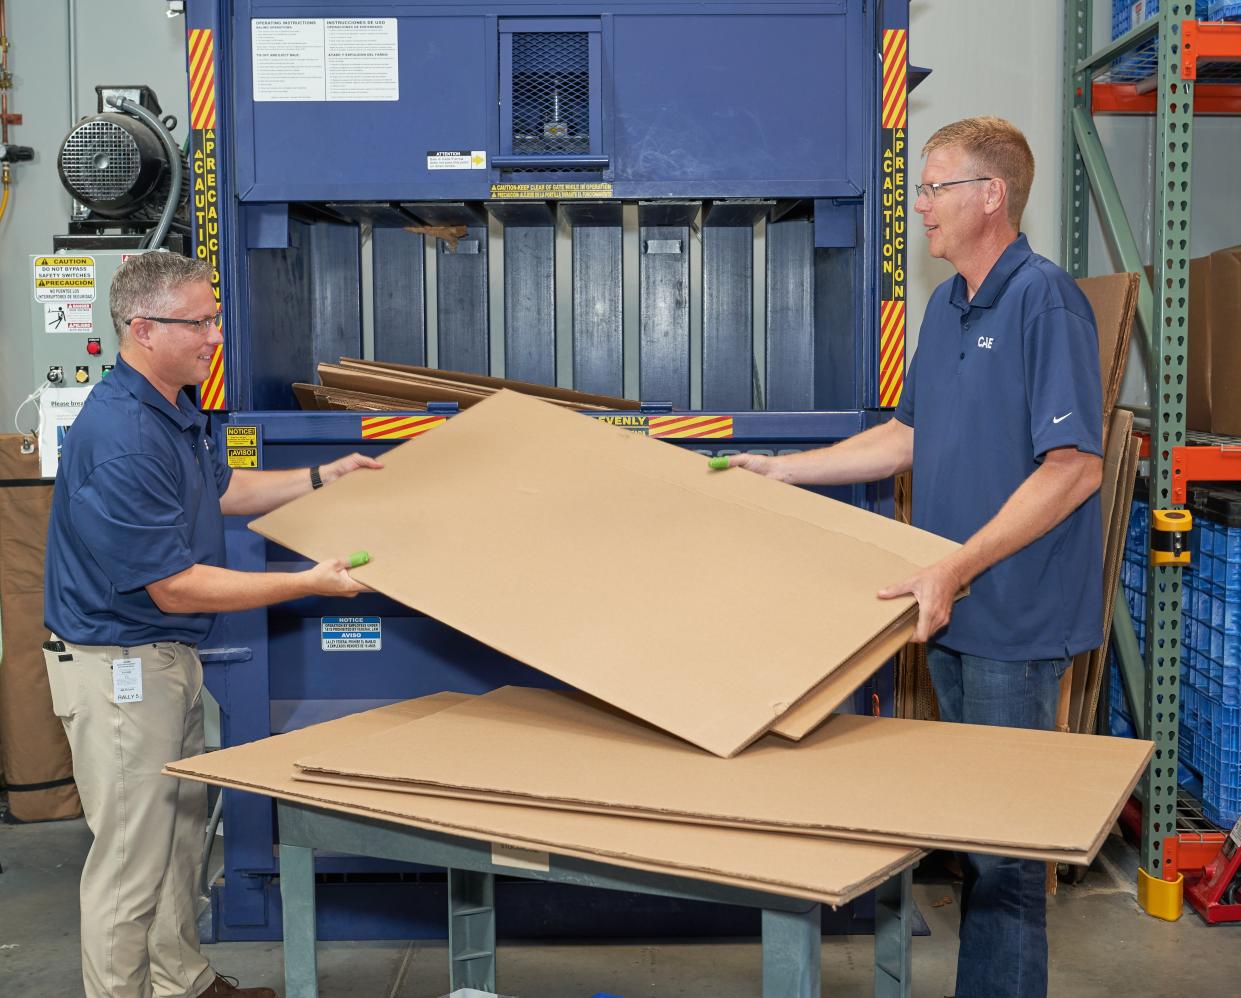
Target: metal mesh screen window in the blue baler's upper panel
[(552, 94)]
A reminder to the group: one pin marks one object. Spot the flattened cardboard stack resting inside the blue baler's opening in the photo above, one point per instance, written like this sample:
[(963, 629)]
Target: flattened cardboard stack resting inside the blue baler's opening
[(373, 385)]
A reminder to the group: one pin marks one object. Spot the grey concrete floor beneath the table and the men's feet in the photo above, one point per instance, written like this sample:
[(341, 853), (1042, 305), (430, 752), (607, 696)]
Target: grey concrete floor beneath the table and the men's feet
[(1101, 945)]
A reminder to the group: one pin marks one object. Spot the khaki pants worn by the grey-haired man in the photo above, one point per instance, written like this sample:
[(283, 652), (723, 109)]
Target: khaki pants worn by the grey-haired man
[(140, 886)]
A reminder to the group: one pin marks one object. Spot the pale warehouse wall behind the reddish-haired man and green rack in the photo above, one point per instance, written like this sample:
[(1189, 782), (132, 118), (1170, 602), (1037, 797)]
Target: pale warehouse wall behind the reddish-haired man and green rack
[(1019, 78)]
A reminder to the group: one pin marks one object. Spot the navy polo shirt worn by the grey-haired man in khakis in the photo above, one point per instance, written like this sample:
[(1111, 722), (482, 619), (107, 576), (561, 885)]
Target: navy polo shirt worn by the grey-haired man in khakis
[(137, 500)]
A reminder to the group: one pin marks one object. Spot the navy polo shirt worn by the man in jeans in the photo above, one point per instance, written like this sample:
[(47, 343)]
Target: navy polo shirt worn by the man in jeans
[(997, 383)]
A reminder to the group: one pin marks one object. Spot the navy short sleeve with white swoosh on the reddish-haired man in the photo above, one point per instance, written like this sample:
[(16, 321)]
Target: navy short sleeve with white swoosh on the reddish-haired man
[(1063, 383)]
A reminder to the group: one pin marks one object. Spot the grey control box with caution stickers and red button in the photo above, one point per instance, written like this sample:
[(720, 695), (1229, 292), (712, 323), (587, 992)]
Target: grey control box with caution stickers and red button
[(74, 342)]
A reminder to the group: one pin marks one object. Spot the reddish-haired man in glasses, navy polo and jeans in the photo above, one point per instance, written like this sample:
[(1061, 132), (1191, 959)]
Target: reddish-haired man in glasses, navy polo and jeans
[(1002, 425)]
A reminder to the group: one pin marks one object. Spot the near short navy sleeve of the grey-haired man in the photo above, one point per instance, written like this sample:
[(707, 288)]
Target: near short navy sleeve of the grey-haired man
[(131, 516)]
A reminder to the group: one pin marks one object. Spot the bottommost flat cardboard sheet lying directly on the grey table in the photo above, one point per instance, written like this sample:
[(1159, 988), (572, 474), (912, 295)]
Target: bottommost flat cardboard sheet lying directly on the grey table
[(799, 866)]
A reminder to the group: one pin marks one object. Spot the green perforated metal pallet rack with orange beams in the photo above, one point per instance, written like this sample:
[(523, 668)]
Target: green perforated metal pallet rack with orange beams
[(1171, 86)]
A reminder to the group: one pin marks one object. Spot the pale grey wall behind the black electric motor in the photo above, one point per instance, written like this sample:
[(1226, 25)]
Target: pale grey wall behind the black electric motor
[(122, 42)]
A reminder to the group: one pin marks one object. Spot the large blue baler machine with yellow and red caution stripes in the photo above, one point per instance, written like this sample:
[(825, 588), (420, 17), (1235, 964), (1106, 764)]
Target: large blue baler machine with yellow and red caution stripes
[(699, 204)]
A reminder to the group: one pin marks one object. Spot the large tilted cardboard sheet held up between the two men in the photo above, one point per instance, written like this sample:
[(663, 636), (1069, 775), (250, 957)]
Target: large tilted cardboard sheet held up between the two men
[(723, 598)]
